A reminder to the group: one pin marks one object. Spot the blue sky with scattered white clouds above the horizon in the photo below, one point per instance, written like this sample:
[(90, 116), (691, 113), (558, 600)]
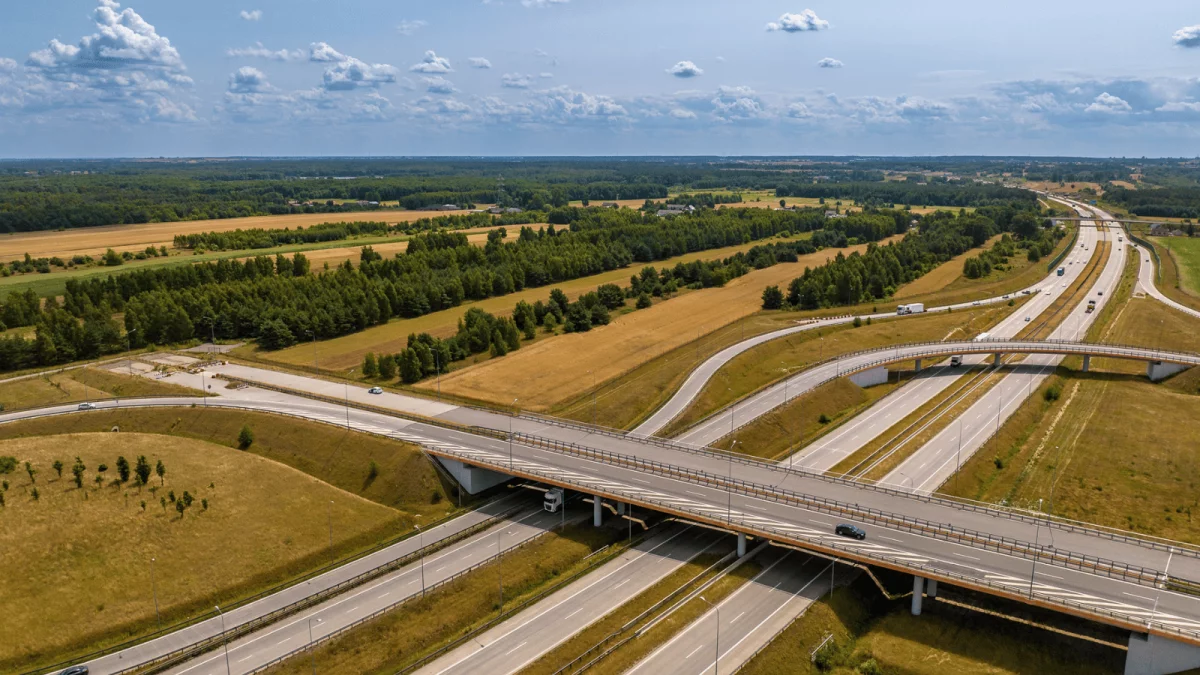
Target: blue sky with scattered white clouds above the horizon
[(598, 77)]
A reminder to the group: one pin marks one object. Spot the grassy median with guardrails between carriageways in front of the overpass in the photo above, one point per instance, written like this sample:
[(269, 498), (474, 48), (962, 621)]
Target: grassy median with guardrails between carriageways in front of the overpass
[(579, 653)]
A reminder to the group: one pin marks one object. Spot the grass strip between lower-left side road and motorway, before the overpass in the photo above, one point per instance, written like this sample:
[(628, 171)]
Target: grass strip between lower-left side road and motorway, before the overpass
[(405, 636)]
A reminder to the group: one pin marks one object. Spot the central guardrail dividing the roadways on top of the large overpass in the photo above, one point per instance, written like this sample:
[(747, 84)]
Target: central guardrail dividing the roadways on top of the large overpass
[(974, 539)]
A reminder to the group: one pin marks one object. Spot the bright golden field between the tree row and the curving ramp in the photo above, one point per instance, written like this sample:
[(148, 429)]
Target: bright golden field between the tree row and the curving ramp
[(556, 371)]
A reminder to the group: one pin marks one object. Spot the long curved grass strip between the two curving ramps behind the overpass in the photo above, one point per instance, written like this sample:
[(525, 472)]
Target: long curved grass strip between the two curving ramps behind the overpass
[(764, 366)]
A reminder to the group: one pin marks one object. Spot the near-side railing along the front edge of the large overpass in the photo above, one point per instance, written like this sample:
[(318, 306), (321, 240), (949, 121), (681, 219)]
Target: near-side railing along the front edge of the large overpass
[(1053, 601)]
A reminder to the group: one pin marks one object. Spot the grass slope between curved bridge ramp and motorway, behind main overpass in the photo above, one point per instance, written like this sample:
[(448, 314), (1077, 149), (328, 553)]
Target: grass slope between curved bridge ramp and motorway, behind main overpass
[(799, 423)]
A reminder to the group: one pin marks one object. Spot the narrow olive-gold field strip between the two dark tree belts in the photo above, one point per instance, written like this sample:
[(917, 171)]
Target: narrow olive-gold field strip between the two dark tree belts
[(347, 353)]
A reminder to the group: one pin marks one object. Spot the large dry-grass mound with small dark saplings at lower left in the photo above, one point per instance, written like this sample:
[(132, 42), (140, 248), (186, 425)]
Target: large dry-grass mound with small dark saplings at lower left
[(77, 561)]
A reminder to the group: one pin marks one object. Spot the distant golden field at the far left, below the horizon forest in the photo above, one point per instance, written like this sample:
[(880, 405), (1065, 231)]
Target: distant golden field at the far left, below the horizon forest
[(93, 241)]
